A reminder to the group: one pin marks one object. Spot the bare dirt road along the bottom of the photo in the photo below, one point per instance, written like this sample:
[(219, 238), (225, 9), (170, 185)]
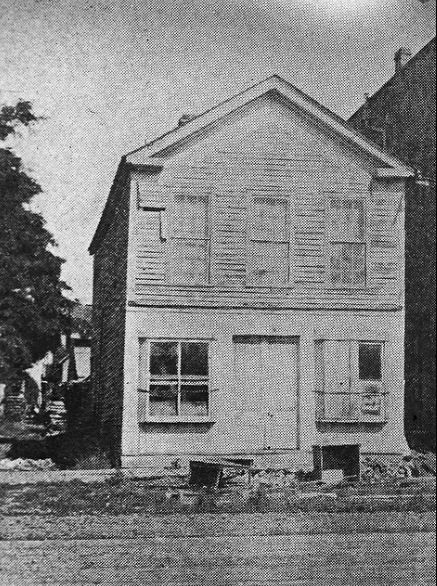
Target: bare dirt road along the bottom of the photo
[(375, 559)]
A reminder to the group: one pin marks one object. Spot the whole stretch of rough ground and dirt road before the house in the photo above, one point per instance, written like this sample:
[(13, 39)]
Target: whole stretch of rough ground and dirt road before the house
[(126, 532)]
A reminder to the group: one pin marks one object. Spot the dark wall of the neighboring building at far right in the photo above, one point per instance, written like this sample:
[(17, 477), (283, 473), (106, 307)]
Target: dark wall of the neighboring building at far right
[(403, 115)]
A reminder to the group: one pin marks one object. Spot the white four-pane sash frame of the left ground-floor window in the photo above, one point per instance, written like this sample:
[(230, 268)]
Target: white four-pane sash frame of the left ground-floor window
[(178, 381)]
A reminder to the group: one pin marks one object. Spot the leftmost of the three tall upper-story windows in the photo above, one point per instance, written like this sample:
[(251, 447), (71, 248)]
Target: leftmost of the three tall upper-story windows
[(190, 239)]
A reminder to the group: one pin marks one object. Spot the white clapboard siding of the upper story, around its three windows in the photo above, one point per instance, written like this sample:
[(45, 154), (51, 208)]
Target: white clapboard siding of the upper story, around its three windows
[(293, 161)]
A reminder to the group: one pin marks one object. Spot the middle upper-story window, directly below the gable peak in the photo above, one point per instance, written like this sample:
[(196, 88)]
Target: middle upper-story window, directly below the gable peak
[(269, 242)]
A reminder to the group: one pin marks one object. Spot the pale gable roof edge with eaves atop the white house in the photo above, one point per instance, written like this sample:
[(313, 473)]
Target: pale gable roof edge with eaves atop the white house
[(147, 156)]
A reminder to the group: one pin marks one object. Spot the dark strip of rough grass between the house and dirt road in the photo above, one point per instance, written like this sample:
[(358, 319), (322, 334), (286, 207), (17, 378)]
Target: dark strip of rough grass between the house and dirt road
[(119, 495)]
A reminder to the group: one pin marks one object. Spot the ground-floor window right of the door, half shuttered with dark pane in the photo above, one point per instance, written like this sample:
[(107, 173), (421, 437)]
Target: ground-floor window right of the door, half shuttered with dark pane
[(350, 381)]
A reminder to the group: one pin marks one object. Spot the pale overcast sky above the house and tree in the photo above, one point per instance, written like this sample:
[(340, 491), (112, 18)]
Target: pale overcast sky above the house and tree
[(109, 74)]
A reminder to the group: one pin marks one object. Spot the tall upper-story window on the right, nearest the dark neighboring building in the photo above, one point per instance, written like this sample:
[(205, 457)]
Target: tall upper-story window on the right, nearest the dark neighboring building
[(347, 242)]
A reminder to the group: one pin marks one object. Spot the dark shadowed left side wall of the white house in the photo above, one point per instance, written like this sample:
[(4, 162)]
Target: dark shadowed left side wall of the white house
[(109, 317)]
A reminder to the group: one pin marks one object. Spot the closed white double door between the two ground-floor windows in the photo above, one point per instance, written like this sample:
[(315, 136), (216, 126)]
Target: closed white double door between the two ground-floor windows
[(266, 389)]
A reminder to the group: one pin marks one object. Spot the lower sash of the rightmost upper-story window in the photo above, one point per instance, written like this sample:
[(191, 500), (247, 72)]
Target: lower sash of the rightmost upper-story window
[(348, 264)]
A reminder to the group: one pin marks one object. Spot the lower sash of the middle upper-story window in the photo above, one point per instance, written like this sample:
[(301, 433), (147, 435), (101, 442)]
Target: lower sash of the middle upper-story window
[(269, 264)]
